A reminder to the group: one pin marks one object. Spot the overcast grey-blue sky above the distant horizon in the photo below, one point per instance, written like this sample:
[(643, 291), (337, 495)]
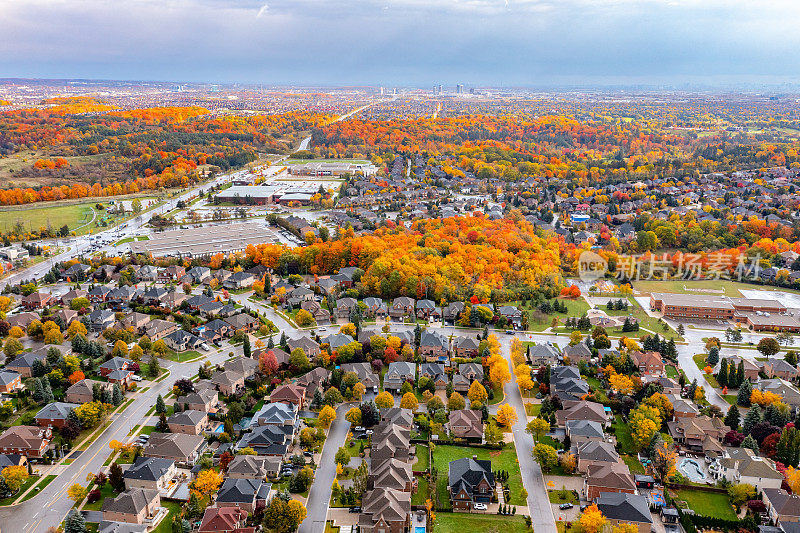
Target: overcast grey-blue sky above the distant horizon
[(403, 42)]
